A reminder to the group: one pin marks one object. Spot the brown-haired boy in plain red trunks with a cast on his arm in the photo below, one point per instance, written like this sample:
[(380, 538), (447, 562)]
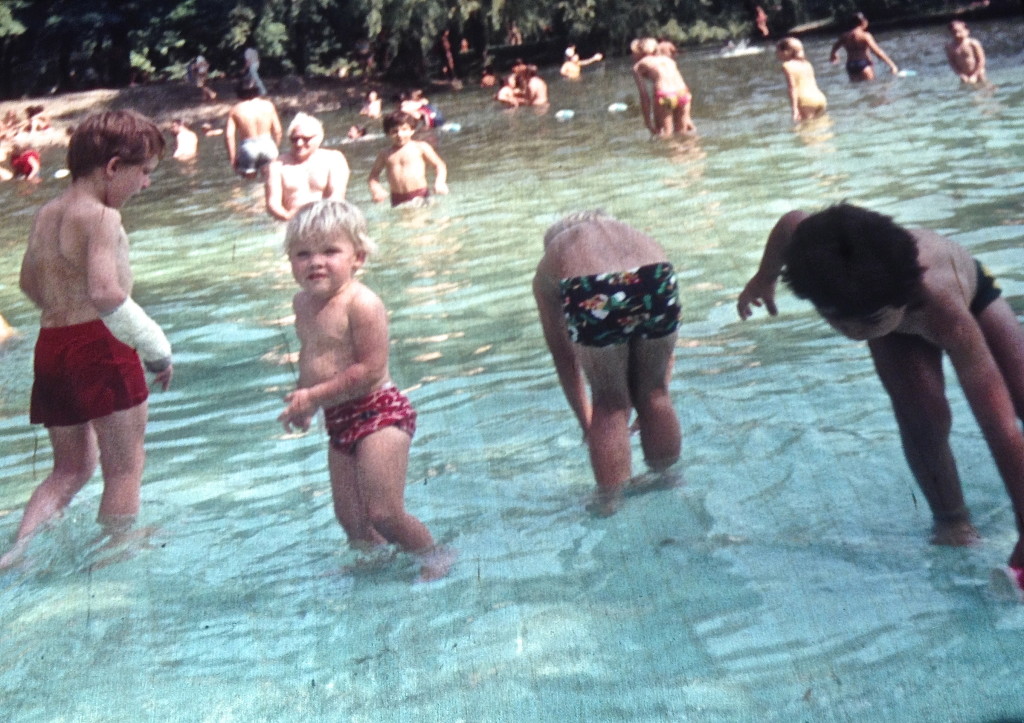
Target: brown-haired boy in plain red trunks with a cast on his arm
[(90, 390)]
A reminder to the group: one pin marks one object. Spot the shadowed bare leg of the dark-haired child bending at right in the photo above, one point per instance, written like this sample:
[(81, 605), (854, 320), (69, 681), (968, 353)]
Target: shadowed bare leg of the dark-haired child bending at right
[(911, 370)]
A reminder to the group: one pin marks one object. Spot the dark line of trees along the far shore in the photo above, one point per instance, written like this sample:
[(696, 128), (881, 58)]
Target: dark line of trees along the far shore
[(55, 46)]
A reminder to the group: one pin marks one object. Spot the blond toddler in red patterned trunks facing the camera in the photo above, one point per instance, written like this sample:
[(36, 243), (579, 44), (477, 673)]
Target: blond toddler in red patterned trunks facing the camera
[(344, 368)]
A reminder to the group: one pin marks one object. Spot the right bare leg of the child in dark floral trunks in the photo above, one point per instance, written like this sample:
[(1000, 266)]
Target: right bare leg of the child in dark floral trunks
[(651, 370)]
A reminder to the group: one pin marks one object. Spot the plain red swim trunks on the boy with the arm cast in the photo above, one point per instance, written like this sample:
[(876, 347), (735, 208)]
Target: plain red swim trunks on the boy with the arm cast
[(83, 373)]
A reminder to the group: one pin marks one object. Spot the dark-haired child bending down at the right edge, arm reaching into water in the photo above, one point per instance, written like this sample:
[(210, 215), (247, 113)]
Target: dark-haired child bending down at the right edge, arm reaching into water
[(914, 296)]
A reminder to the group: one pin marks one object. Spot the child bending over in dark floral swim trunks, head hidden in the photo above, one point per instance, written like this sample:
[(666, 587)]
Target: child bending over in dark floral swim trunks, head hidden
[(609, 305)]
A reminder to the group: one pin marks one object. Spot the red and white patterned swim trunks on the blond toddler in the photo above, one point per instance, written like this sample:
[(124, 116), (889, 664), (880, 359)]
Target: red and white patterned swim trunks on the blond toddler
[(349, 423)]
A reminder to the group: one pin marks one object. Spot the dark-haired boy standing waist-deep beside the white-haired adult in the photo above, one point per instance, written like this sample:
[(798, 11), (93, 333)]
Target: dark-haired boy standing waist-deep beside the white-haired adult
[(406, 163)]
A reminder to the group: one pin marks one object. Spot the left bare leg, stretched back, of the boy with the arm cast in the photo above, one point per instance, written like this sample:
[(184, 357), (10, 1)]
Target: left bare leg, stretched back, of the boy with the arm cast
[(75, 458)]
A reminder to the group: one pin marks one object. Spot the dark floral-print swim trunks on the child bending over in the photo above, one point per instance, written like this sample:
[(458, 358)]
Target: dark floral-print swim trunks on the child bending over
[(611, 309)]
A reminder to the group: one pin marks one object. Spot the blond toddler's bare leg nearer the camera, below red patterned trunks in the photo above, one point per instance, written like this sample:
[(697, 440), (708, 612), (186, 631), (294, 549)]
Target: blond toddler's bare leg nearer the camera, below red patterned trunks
[(381, 462)]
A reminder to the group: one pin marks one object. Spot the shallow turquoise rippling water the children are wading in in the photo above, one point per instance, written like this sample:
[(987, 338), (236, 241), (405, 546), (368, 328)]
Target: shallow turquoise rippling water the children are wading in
[(788, 579)]
